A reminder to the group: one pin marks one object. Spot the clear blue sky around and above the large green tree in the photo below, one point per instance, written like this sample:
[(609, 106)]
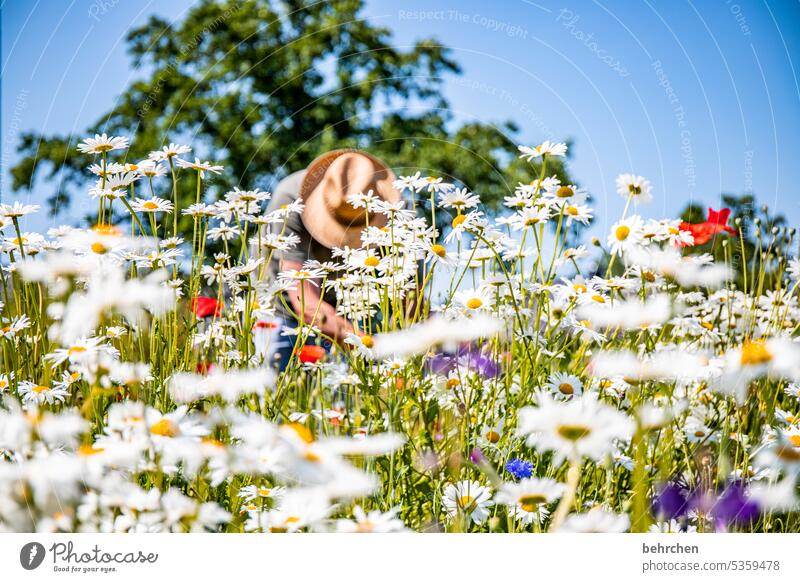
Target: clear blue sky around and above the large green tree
[(701, 97)]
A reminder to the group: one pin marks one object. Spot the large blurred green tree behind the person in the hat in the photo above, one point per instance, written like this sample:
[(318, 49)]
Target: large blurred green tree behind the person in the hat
[(263, 87)]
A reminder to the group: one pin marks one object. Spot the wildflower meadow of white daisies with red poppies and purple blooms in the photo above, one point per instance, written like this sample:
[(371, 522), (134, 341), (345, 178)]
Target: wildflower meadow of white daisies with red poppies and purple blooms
[(499, 377)]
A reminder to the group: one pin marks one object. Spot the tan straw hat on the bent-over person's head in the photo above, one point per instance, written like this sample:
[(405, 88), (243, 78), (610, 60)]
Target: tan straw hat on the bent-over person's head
[(329, 180)]
